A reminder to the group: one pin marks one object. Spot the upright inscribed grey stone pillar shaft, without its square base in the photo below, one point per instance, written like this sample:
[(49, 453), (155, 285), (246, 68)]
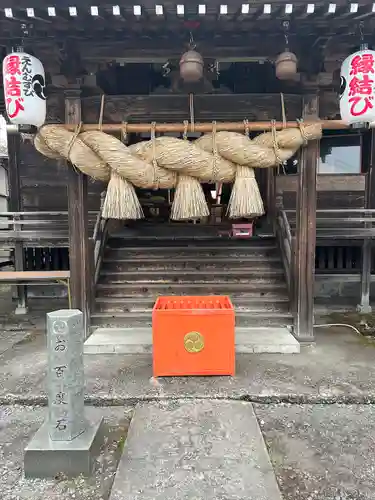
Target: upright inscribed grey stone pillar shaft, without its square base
[(65, 379)]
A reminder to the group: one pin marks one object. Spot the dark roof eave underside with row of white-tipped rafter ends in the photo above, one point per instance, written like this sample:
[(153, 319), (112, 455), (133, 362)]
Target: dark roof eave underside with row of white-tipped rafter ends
[(105, 30)]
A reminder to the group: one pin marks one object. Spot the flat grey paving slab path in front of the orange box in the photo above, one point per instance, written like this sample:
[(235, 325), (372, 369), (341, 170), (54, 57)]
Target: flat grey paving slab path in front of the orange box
[(195, 450)]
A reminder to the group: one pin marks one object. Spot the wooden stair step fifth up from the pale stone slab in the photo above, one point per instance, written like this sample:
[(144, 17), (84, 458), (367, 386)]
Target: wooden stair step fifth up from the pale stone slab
[(191, 263)]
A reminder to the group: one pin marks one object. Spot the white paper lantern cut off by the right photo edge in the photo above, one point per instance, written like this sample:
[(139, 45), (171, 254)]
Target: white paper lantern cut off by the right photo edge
[(357, 88)]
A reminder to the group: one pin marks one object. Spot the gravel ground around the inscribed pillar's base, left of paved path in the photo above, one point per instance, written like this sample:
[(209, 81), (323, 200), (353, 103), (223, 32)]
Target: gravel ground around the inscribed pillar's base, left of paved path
[(17, 426)]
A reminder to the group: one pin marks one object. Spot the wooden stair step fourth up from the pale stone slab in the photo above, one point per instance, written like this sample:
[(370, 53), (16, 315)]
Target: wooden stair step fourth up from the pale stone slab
[(143, 277)]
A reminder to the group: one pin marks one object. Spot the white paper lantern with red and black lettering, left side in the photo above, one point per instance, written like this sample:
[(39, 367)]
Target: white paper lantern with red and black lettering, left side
[(24, 89)]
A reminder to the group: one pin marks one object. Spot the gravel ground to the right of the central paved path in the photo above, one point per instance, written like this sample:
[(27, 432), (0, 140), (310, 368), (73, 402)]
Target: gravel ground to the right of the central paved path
[(321, 452)]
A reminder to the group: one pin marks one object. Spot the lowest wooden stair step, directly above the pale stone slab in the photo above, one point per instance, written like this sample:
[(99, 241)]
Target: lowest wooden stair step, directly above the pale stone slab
[(144, 319)]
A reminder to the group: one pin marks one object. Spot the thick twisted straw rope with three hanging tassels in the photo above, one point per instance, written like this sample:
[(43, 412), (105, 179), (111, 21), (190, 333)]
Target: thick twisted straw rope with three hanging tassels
[(159, 163)]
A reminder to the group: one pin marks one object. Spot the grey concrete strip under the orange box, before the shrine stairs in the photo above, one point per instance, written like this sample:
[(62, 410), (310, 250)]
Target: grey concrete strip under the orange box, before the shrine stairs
[(338, 368)]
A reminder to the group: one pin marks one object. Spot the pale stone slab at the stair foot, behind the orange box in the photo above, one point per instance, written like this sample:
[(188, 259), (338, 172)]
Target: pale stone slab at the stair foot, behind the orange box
[(139, 341)]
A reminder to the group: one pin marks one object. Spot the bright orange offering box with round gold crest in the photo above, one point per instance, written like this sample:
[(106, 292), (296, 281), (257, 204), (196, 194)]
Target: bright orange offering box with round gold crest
[(193, 336)]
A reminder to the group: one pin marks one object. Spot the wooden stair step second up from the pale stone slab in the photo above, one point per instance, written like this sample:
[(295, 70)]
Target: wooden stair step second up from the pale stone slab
[(146, 304)]
